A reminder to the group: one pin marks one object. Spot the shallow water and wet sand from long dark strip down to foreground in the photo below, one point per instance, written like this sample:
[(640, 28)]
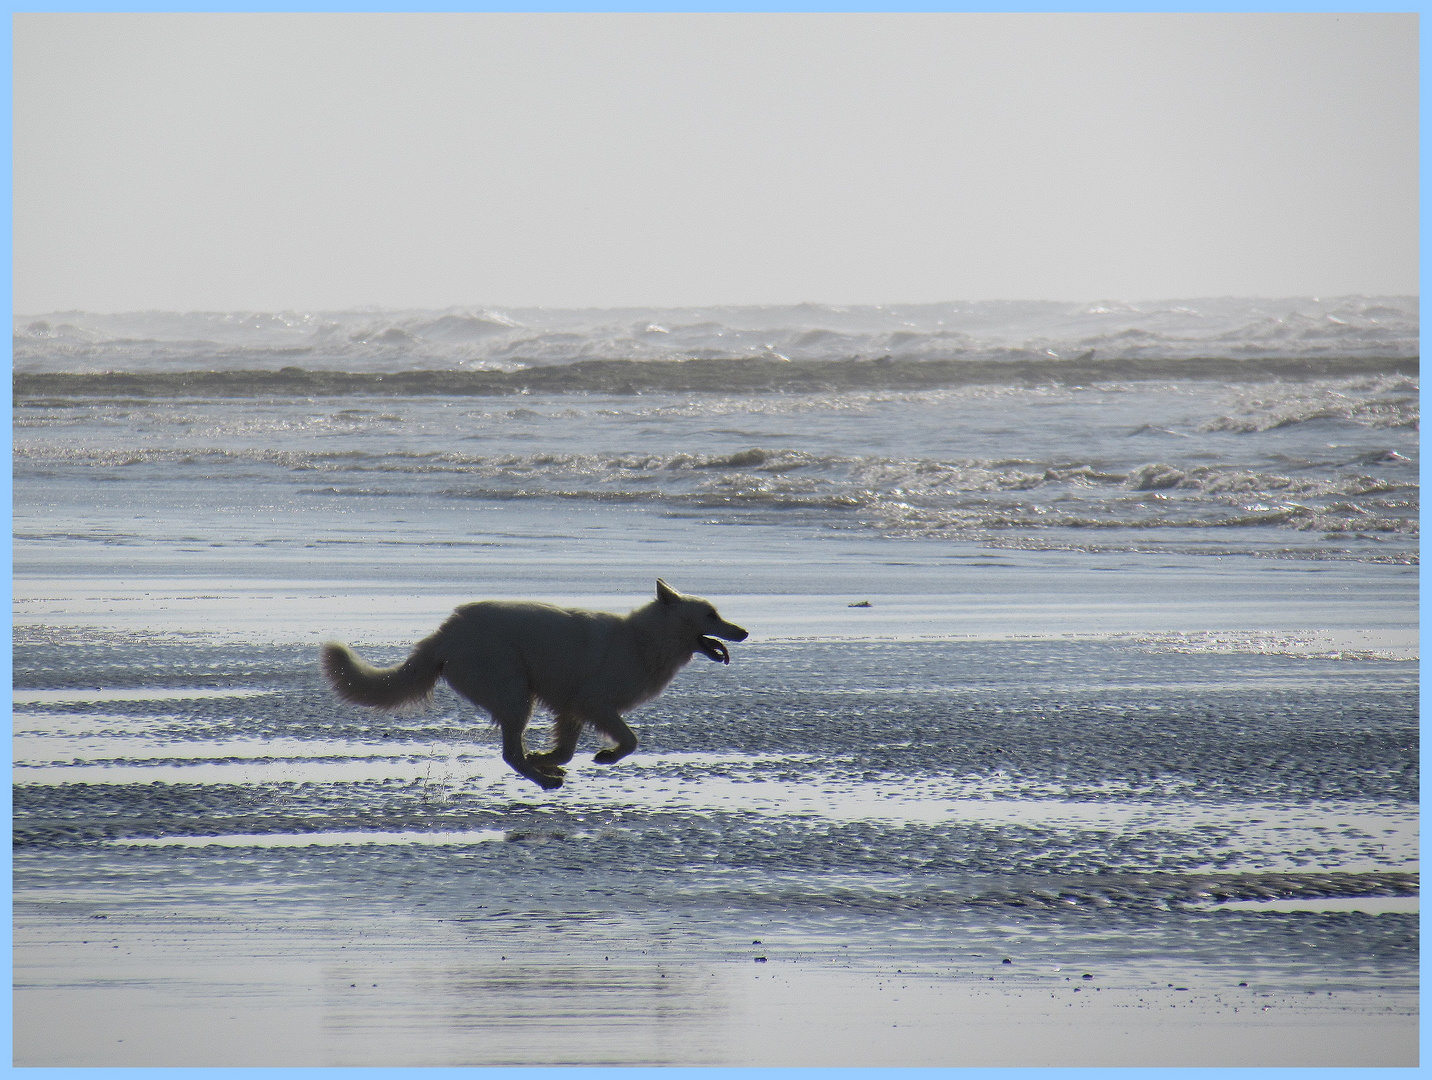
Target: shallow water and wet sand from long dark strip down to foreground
[(1156, 731)]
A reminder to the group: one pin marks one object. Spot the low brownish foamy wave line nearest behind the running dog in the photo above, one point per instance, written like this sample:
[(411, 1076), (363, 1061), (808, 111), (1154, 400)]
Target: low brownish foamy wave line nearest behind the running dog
[(899, 498)]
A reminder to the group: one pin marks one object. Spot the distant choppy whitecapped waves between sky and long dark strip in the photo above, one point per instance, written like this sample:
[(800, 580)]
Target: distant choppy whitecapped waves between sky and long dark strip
[(522, 339)]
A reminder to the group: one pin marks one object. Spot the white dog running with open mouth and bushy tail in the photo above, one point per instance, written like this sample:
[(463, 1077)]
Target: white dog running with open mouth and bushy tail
[(586, 667)]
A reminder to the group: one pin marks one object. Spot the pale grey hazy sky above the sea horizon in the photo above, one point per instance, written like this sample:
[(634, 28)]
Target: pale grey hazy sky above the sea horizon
[(294, 161)]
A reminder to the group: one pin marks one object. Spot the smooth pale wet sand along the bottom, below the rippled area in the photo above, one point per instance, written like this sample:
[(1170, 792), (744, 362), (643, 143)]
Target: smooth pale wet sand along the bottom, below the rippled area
[(258, 990)]
